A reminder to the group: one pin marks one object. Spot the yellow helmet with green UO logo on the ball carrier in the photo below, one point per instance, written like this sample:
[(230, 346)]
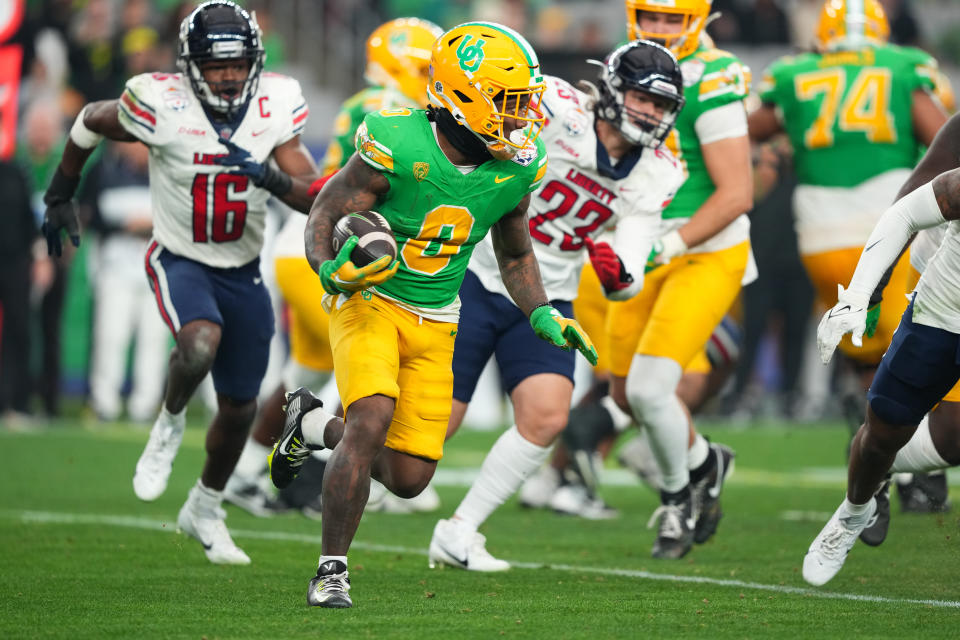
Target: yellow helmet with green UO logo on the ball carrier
[(483, 72)]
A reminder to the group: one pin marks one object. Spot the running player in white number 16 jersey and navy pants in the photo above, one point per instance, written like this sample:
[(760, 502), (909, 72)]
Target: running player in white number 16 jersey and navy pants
[(211, 131)]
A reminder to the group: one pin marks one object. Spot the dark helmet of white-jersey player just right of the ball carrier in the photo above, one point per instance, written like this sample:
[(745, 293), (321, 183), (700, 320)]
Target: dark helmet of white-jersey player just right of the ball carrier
[(652, 70)]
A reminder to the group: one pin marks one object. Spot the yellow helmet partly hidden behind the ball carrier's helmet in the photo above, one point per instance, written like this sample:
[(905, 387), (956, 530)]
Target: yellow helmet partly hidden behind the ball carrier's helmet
[(398, 56)]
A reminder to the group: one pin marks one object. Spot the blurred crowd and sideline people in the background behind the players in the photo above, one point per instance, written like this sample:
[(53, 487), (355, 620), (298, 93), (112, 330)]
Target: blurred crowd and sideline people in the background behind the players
[(83, 326)]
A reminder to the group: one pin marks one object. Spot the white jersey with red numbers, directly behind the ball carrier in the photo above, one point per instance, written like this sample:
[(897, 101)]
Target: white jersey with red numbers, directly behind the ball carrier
[(575, 201)]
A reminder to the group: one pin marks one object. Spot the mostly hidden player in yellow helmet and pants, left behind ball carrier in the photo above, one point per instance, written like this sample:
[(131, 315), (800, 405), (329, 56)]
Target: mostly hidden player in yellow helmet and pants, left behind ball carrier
[(398, 55)]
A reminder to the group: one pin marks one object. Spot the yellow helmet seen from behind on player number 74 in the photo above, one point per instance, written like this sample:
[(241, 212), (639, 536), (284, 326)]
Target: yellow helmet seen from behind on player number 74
[(845, 23)]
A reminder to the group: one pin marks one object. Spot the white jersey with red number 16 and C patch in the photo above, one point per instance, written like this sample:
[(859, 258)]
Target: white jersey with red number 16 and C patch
[(200, 210)]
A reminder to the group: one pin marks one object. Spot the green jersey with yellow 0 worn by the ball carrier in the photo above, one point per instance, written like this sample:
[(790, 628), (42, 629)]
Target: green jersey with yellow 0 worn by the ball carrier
[(437, 213)]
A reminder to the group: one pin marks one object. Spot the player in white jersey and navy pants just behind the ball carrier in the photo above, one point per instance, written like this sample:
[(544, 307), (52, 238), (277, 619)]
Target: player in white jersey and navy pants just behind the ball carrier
[(607, 168)]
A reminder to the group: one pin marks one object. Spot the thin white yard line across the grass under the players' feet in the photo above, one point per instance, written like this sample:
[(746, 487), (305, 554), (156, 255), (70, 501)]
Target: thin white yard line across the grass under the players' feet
[(47, 517)]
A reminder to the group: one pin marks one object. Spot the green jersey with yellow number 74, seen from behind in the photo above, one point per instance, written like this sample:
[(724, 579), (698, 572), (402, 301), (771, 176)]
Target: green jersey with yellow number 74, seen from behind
[(847, 113)]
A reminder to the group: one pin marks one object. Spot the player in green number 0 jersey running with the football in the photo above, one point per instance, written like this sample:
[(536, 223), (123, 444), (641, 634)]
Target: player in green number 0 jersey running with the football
[(442, 178)]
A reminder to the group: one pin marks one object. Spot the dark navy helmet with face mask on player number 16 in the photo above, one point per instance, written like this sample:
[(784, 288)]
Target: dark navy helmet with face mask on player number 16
[(215, 36)]
